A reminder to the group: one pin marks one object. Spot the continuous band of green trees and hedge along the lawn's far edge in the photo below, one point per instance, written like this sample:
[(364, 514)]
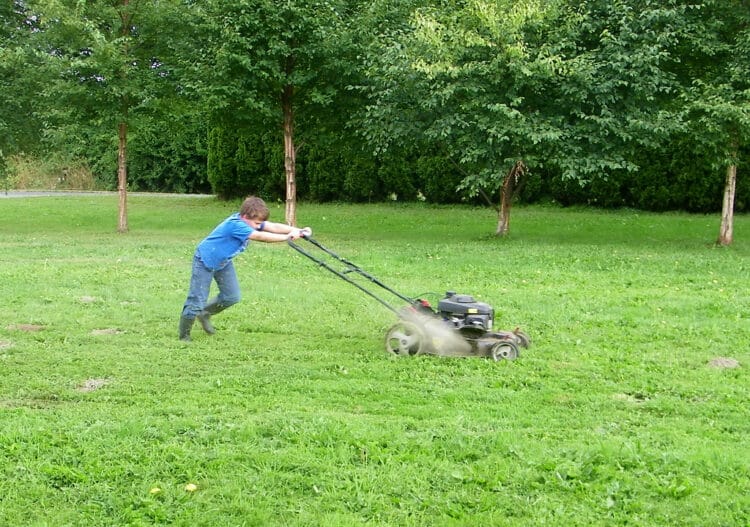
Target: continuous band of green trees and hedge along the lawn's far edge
[(614, 103)]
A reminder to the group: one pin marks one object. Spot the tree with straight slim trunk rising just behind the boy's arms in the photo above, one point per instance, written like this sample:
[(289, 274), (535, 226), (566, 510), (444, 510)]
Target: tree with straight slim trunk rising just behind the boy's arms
[(269, 63)]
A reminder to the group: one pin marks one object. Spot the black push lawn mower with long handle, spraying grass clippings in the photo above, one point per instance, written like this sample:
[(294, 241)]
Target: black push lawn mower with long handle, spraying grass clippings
[(459, 326)]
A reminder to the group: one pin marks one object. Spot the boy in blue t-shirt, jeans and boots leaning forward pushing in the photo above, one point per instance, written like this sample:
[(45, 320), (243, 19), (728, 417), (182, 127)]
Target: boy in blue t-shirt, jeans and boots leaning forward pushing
[(213, 261)]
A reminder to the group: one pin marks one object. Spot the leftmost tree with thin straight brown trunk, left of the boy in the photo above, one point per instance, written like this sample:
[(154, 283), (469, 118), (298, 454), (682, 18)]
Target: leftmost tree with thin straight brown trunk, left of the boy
[(103, 69)]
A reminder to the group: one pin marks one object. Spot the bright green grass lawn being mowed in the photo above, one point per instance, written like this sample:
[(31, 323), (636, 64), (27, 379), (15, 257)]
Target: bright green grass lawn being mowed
[(293, 415)]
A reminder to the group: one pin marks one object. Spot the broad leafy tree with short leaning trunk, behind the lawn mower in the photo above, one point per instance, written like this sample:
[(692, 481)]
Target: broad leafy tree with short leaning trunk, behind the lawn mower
[(562, 86)]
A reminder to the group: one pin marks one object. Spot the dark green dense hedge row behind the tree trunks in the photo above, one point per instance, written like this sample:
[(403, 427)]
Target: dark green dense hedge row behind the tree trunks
[(332, 169)]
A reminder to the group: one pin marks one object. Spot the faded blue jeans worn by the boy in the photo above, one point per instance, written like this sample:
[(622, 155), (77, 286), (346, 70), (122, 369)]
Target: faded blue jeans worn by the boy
[(200, 284)]
